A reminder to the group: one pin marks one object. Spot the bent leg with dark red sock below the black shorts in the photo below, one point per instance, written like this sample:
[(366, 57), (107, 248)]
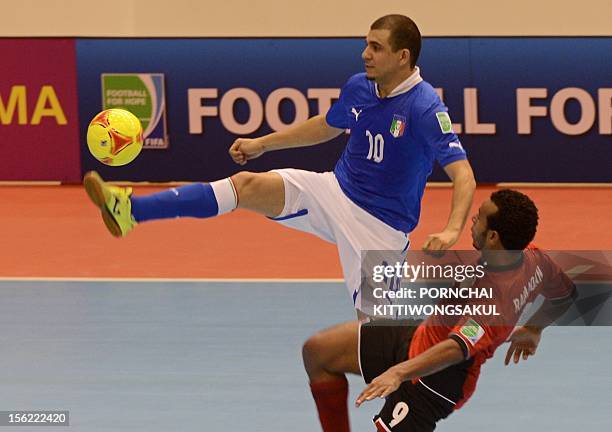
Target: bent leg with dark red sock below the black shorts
[(328, 355)]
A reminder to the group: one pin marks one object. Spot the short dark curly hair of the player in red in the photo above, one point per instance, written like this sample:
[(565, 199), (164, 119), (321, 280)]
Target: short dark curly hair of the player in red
[(516, 219)]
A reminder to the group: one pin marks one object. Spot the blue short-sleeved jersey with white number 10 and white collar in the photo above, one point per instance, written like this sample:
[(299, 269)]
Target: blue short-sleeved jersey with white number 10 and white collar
[(393, 144)]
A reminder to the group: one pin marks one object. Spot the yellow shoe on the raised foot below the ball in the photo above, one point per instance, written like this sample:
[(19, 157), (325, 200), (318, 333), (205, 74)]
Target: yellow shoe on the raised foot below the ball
[(114, 204)]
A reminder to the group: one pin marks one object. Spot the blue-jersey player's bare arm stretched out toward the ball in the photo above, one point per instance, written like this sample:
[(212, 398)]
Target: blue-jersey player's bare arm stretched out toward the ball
[(313, 131)]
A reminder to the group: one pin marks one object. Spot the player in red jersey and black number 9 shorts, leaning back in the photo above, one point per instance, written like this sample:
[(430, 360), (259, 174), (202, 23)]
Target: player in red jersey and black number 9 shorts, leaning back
[(426, 372)]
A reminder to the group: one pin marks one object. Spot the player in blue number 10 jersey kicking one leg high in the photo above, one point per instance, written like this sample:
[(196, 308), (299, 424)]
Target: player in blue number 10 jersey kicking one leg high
[(371, 201)]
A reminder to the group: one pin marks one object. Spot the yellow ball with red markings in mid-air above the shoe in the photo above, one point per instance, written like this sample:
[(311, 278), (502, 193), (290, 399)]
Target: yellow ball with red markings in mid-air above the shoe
[(114, 137)]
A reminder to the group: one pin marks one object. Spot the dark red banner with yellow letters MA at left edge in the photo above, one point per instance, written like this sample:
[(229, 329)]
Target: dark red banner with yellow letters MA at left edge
[(39, 131)]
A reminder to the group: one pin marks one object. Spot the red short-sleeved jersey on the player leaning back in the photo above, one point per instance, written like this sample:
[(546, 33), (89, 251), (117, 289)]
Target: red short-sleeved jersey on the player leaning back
[(513, 288)]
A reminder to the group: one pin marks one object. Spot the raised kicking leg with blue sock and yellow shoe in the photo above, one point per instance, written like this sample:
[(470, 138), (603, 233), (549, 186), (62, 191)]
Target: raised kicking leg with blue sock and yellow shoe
[(121, 211)]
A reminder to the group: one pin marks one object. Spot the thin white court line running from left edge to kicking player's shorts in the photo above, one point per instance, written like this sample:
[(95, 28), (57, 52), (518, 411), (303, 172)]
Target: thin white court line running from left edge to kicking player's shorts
[(166, 280)]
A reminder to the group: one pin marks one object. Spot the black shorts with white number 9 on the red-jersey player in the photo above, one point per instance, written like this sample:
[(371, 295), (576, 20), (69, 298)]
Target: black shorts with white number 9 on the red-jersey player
[(412, 407)]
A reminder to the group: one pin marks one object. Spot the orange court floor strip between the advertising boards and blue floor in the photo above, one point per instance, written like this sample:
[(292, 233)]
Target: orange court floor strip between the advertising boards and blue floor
[(55, 232)]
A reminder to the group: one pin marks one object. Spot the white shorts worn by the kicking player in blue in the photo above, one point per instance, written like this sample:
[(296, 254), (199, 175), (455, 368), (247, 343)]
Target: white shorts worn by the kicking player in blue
[(315, 203)]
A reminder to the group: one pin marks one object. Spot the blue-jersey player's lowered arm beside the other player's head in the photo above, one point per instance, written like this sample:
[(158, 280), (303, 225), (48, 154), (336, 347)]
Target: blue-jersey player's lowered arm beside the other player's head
[(462, 176)]
